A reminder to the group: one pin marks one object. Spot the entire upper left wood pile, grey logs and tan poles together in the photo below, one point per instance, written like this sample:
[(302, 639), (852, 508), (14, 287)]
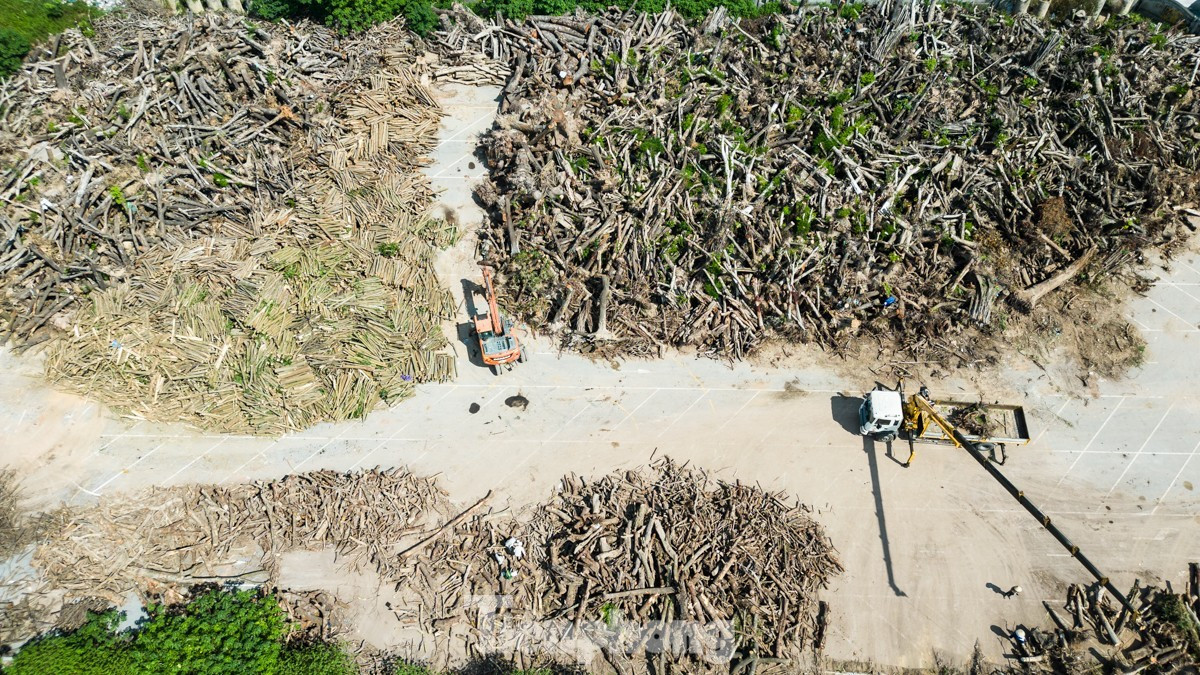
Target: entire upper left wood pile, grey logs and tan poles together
[(229, 224)]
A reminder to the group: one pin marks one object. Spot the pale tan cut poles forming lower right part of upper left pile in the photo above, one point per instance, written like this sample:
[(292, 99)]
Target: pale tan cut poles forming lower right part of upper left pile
[(317, 312)]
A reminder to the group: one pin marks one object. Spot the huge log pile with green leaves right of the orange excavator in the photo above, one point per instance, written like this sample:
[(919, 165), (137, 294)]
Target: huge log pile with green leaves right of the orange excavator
[(891, 171)]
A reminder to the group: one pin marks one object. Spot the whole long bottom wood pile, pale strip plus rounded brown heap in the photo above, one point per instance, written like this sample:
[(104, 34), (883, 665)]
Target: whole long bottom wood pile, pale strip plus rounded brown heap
[(603, 560)]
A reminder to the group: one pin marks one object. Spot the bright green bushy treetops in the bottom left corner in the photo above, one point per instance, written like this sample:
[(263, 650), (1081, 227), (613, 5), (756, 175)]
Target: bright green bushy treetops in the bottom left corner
[(221, 631)]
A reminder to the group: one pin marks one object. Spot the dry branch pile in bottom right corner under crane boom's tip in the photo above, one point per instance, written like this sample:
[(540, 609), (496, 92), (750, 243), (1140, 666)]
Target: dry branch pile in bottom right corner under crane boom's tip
[(1090, 628)]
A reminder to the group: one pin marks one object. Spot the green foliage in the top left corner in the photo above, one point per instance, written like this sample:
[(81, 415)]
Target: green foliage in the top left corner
[(25, 23)]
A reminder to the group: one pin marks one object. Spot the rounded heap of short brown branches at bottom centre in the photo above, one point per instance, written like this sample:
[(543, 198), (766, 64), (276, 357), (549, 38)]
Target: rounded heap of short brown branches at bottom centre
[(671, 545)]
